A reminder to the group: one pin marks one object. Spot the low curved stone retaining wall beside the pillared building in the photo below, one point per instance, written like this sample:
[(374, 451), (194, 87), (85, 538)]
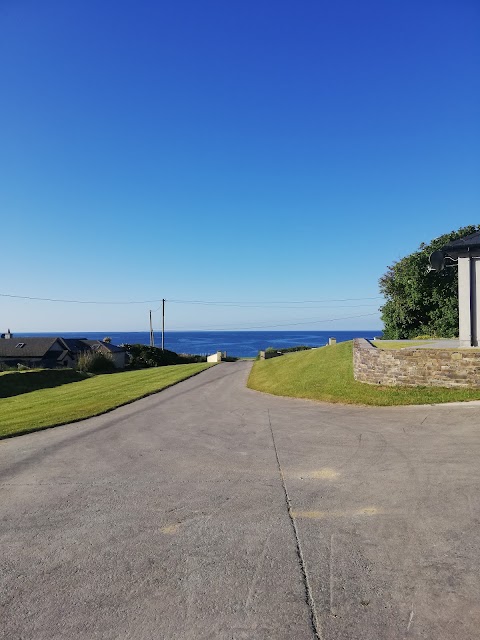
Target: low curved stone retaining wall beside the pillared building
[(414, 367)]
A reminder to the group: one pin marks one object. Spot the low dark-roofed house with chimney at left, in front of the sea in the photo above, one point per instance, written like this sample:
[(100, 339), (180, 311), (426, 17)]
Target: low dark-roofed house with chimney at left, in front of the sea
[(53, 352)]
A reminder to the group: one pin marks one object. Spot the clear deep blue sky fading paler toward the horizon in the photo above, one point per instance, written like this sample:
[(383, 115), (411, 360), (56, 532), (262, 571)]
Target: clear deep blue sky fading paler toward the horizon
[(228, 151)]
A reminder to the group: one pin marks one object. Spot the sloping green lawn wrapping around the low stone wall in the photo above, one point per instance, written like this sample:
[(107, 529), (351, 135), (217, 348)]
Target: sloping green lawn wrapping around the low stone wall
[(326, 374)]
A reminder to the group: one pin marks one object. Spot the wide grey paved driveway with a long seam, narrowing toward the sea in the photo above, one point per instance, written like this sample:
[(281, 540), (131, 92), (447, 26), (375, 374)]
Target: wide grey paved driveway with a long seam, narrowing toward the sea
[(210, 511)]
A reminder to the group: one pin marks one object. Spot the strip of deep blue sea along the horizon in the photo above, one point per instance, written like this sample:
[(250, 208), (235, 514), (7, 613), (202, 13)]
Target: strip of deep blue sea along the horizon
[(235, 343)]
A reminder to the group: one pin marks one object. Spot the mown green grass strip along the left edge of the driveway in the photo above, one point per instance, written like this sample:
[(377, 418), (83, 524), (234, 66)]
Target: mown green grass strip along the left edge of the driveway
[(90, 397)]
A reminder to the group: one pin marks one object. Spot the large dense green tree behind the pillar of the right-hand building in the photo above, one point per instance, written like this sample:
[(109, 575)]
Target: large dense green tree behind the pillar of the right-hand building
[(419, 301)]
